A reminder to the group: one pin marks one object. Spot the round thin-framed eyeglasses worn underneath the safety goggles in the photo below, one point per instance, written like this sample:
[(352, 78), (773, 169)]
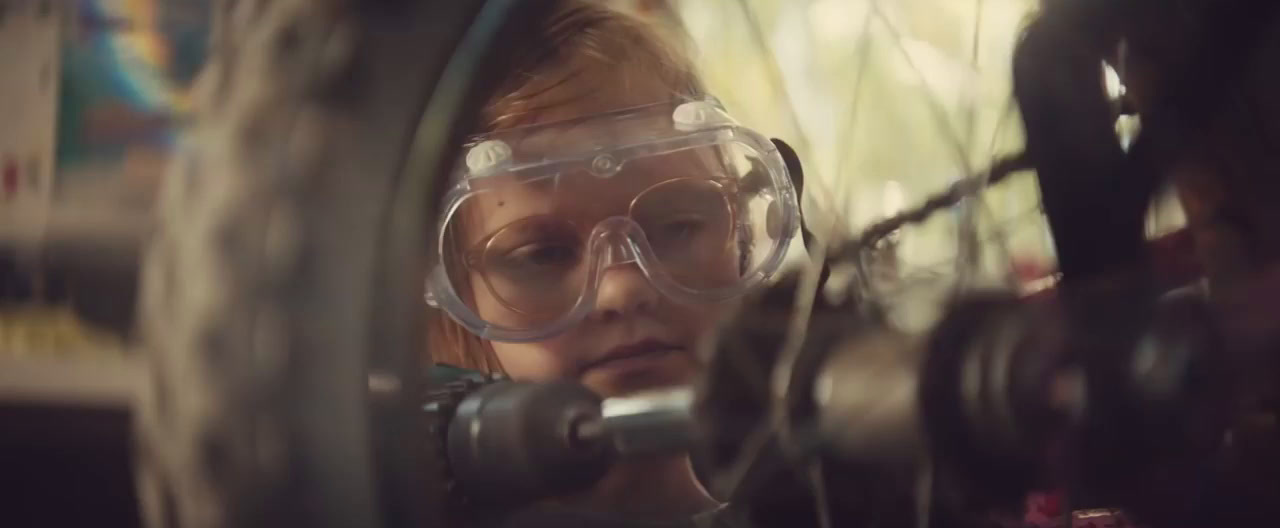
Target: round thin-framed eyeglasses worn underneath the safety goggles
[(540, 267)]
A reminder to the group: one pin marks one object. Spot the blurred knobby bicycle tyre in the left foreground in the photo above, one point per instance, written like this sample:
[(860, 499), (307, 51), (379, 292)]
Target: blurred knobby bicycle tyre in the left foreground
[(280, 295)]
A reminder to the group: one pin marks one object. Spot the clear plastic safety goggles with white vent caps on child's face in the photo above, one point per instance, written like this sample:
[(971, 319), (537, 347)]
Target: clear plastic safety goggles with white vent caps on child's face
[(537, 216)]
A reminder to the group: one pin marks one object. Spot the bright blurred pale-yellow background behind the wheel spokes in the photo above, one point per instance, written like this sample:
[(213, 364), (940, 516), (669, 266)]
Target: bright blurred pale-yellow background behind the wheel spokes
[(888, 102)]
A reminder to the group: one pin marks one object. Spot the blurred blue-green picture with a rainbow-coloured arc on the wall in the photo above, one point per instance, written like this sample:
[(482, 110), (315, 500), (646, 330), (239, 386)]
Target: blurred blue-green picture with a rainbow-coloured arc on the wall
[(127, 66)]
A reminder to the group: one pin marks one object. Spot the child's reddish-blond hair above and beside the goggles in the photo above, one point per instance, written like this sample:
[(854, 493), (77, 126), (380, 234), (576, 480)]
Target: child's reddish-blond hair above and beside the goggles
[(580, 39)]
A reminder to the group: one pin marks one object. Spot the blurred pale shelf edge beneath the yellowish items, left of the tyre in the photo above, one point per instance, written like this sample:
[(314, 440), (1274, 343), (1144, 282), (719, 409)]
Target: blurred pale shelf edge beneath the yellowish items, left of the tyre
[(90, 383)]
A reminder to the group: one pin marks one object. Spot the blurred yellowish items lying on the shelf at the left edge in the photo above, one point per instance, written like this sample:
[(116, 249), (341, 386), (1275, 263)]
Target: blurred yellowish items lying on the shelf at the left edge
[(47, 333)]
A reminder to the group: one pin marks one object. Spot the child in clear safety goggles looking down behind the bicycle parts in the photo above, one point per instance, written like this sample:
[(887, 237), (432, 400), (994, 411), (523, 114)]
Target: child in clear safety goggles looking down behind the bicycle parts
[(602, 220)]
